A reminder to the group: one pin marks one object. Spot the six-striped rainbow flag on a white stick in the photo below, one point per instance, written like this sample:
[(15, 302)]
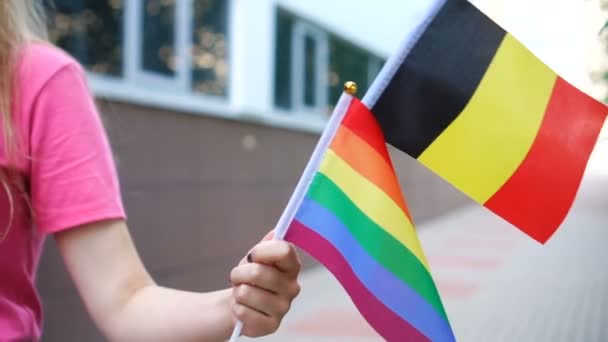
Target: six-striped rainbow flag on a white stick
[(349, 213)]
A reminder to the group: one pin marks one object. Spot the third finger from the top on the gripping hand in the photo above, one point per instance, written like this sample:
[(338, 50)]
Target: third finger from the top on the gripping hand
[(260, 300)]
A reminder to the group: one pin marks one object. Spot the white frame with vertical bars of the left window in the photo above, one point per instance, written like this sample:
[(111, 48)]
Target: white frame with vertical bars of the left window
[(138, 86)]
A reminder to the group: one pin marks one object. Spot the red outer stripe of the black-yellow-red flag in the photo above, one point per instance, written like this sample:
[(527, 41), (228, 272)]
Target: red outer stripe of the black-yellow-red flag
[(538, 196)]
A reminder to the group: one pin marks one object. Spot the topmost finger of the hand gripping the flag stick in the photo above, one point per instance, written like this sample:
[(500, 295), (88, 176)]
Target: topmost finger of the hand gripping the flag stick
[(280, 254)]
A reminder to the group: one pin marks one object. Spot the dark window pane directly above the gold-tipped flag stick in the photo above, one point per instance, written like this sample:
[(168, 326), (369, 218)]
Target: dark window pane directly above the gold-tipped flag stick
[(347, 63)]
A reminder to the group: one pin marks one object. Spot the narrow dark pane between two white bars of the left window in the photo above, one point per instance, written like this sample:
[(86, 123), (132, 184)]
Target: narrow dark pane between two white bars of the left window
[(159, 36)]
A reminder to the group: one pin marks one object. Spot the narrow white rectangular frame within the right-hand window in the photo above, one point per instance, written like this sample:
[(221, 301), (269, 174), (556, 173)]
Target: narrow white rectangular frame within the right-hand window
[(301, 31)]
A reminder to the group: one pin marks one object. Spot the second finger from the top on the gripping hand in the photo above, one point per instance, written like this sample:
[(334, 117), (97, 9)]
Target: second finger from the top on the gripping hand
[(260, 275)]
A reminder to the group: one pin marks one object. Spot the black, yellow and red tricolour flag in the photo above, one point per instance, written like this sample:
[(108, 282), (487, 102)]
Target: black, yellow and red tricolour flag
[(470, 102)]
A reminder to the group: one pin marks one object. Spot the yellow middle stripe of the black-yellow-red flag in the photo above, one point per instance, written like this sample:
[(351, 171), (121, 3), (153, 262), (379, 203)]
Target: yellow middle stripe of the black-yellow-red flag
[(487, 142)]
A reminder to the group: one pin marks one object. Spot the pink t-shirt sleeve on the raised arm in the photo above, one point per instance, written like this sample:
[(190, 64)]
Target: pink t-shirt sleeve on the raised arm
[(73, 176)]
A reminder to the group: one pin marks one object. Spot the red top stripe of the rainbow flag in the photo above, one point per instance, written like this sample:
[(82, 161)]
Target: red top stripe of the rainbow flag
[(363, 123)]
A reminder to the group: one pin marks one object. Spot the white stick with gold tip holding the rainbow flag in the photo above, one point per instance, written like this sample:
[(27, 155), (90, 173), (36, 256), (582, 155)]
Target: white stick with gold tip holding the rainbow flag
[(350, 88)]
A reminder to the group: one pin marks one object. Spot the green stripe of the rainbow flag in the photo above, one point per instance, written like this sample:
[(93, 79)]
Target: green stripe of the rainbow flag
[(380, 245)]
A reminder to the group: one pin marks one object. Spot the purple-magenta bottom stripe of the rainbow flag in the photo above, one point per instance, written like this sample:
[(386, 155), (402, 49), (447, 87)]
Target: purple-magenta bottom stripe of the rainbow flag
[(382, 319)]
